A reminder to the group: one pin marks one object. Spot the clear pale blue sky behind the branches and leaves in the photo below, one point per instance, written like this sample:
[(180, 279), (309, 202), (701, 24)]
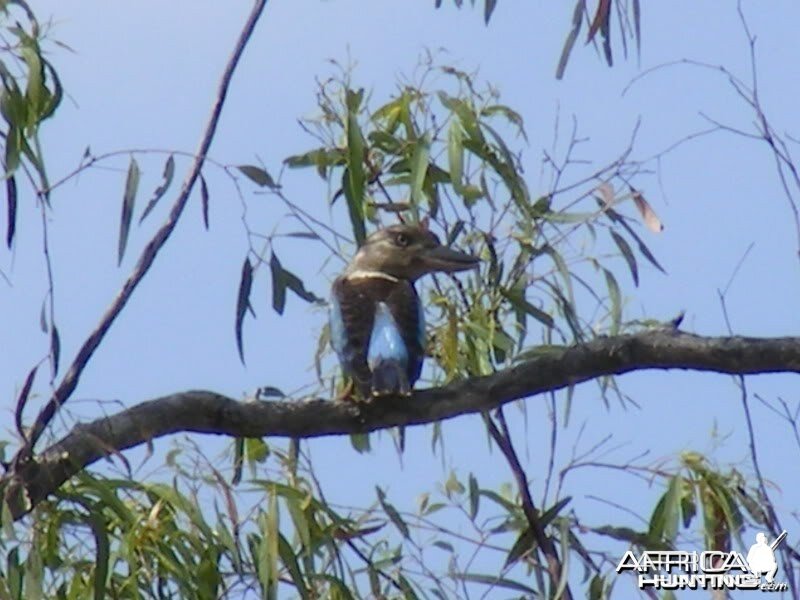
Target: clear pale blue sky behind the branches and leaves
[(143, 75)]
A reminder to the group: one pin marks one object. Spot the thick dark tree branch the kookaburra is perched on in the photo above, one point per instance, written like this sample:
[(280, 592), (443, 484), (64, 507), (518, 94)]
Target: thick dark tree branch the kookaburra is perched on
[(28, 483)]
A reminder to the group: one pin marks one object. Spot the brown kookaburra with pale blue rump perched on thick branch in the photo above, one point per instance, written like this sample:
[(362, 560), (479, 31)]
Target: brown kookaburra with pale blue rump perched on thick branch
[(377, 321)]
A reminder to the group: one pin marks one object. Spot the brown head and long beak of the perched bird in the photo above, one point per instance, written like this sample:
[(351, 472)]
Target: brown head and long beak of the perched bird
[(408, 252)]
